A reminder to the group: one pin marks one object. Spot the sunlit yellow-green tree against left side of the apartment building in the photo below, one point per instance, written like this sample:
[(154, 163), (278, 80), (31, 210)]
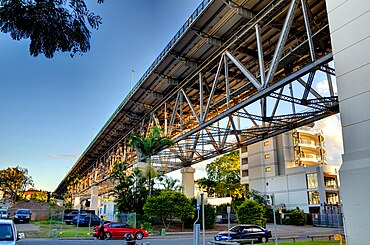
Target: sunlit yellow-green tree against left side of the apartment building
[(223, 177)]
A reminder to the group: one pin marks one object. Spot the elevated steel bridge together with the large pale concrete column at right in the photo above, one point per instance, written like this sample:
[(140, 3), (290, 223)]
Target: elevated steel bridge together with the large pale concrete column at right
[(239, 71)]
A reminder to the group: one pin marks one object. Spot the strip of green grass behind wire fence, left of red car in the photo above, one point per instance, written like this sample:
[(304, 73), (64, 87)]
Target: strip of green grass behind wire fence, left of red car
[(57, 229)]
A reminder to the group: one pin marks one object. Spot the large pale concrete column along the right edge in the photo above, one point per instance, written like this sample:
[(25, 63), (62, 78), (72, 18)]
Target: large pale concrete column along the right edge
[(350, 33)]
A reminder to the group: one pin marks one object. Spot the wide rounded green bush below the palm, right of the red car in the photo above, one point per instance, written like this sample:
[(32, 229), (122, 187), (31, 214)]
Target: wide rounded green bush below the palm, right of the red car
[(167, 206)]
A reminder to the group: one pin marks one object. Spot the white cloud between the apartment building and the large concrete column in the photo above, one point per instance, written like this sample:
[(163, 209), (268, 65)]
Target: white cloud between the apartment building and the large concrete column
[(332, 131)]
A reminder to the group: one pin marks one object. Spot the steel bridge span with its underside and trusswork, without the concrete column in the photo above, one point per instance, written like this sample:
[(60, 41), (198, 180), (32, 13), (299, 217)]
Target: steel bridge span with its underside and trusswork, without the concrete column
[(236, 73)]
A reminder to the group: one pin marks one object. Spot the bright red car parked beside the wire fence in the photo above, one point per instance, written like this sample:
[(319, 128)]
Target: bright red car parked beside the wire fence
[(119, 229)]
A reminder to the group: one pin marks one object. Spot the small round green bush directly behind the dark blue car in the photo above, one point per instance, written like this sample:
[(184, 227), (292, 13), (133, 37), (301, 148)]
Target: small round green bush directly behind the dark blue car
[(250, 212)]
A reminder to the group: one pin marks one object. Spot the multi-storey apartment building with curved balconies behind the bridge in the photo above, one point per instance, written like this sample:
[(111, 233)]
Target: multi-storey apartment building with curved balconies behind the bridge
[(293, 167)]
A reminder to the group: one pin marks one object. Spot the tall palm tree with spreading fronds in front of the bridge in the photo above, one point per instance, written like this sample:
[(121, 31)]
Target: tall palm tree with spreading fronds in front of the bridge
[(150, 145)]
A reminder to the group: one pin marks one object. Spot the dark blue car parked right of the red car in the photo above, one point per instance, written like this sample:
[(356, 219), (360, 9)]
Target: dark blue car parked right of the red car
[(245, 232)]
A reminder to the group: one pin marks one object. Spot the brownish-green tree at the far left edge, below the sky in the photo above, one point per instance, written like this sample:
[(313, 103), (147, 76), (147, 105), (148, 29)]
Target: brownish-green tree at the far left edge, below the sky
[(14, 181)]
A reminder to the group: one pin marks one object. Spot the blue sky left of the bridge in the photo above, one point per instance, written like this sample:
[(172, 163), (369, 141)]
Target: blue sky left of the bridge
[(52, 108)]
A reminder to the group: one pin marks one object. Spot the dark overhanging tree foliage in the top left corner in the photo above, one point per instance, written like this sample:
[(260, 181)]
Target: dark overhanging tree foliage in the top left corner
[(51, 25)]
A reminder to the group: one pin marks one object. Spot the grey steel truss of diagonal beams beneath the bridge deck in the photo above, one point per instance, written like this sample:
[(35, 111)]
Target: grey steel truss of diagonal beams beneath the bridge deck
[(254, 86)]
